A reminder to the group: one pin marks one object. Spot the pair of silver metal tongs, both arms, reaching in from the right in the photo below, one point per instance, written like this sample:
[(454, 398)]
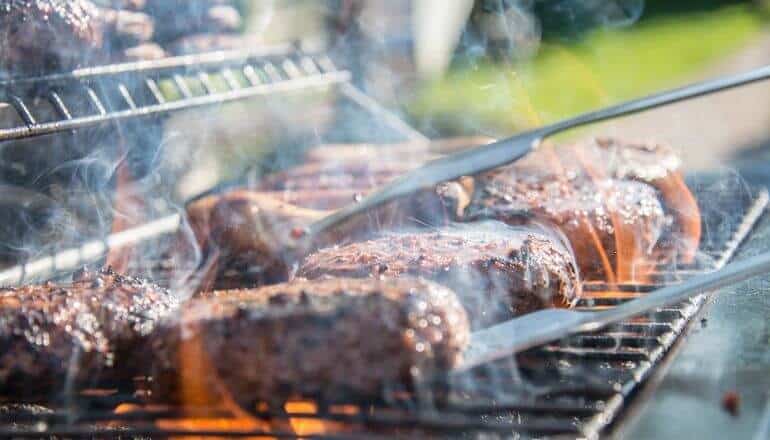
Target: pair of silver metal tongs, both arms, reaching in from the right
[(547, 325)]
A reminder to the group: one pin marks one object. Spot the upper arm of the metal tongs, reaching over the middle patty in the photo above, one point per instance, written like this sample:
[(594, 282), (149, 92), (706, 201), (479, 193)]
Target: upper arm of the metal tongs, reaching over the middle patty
[(477, 160)]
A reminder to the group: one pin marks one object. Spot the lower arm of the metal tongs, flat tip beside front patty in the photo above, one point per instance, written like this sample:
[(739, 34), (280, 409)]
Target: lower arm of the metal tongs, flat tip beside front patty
[(548, 325)]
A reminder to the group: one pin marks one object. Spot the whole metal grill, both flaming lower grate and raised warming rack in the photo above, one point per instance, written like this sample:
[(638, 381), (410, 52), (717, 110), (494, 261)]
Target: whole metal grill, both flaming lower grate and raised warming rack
[(576, 387)]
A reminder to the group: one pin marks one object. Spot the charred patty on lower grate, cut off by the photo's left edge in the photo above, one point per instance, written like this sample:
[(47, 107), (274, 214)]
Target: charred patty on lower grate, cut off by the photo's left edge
[(56, 339)]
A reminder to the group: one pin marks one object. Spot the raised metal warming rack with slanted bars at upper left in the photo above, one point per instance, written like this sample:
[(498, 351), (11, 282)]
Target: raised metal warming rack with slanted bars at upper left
[(93, 96)]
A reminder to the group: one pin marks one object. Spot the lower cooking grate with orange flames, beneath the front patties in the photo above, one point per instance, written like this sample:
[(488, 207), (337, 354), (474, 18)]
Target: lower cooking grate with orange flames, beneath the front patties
[(574, 388)]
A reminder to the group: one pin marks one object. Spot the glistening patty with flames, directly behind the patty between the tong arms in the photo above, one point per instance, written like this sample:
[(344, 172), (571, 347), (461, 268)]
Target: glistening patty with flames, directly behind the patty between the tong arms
[(598, 217)]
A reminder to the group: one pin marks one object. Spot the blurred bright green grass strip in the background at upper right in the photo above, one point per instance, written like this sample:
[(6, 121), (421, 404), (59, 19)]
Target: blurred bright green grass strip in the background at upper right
[(565, 78)]
